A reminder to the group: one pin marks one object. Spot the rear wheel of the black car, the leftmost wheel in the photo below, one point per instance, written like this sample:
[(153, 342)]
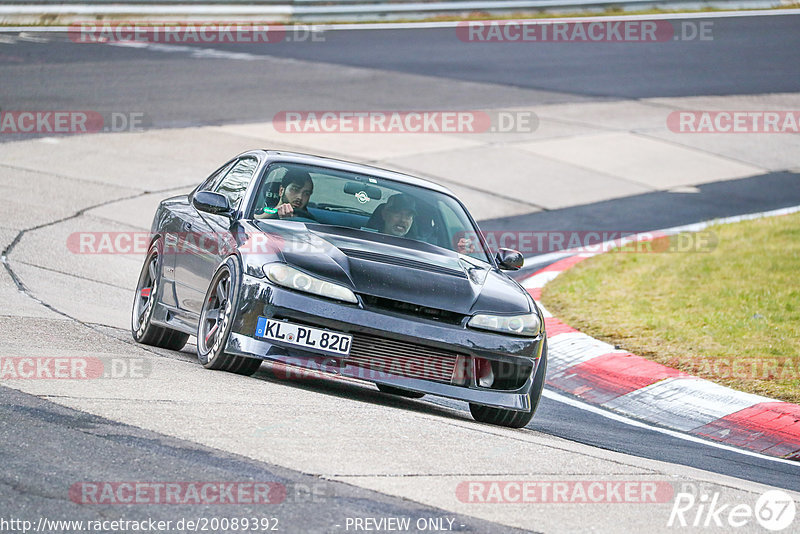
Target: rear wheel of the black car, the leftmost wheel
[(144, 302)]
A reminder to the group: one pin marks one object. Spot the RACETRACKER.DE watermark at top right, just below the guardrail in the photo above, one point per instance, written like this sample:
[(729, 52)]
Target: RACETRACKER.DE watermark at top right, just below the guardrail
[(583, 31)]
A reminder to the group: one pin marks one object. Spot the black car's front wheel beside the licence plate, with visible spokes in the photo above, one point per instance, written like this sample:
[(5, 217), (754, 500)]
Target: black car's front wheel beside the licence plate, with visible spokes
[(215, 323)]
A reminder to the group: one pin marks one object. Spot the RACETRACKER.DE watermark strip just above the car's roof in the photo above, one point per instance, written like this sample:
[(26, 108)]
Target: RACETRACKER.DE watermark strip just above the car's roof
[(404, 122)]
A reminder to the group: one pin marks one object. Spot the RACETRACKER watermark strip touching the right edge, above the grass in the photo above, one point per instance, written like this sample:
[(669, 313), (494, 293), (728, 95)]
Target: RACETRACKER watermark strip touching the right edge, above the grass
[(734, 121)]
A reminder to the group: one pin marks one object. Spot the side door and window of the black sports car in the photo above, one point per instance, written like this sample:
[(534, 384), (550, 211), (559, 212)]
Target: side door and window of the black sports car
[(208, 238)]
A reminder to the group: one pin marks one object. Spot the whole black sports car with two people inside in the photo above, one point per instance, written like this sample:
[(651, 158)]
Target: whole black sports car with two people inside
[(348, 269)]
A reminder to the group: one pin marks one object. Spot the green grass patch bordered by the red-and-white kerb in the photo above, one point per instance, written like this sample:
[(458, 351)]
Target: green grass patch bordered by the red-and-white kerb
[(731, 315)]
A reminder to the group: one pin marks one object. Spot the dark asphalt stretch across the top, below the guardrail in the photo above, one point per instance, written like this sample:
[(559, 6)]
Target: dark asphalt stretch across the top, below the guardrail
[(123, 78)]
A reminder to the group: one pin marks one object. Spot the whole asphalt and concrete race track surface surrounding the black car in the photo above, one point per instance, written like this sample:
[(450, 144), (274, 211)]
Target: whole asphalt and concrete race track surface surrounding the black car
[(341, 449)]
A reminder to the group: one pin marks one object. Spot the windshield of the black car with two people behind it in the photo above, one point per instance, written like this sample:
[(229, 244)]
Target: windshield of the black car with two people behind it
[(368, 203)]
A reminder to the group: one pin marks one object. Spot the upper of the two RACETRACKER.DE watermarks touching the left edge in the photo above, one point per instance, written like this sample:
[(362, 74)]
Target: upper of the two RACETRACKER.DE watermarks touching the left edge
[(68, 122)]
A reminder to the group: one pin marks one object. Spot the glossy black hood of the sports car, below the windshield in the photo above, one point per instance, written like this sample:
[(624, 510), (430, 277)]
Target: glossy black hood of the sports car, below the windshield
[(399, 269)]
